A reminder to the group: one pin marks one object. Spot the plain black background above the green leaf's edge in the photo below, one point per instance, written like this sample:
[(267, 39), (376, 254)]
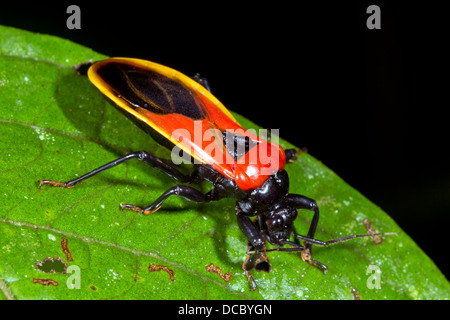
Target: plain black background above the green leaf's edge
[(370, 104)]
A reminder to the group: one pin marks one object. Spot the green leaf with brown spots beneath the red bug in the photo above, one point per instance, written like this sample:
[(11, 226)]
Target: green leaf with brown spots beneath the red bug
[(55, 125)]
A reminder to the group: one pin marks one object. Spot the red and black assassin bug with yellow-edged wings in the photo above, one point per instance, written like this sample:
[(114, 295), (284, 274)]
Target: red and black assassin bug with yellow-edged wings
[(162, 101)]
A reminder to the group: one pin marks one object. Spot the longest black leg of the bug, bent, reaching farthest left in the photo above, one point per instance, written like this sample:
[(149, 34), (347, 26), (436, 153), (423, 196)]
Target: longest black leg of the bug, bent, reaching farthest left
[(141, 155)]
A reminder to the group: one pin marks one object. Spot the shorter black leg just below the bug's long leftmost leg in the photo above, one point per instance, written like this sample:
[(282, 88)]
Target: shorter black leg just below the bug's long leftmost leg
[(186, 192)]
